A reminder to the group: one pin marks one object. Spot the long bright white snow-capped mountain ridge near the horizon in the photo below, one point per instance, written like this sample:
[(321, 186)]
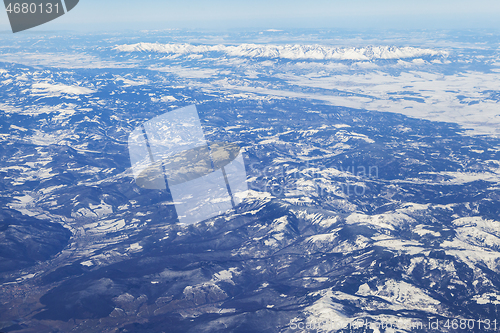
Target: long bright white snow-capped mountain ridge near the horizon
[(287, 51)]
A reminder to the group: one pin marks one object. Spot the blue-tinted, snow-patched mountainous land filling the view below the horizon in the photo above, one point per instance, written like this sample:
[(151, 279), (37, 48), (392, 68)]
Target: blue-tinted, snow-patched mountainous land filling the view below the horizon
[(356, 218)]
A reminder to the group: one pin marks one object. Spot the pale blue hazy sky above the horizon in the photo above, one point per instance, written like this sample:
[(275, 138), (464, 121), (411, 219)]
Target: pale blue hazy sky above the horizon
[(278, 14)]
